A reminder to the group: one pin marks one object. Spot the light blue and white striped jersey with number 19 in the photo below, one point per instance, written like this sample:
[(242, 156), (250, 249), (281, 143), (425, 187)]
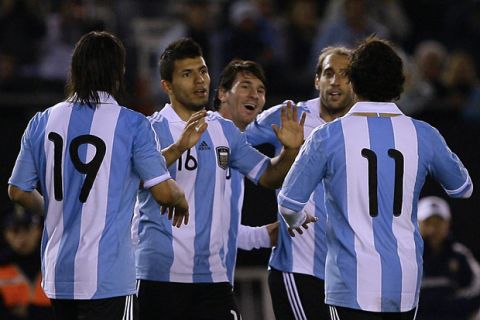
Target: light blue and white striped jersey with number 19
[(88, 162)]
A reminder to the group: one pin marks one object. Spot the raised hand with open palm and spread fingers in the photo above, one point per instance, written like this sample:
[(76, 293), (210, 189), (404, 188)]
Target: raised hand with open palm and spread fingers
[(290, 132)]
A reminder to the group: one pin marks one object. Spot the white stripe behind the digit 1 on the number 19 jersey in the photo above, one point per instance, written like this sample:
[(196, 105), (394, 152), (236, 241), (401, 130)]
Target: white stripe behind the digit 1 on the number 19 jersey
[(58, 121)]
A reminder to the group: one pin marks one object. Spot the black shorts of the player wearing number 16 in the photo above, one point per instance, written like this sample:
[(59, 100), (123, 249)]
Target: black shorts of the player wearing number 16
[(186, 301)]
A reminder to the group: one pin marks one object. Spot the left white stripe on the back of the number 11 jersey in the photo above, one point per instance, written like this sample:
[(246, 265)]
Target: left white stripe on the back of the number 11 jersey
[(368, 260)]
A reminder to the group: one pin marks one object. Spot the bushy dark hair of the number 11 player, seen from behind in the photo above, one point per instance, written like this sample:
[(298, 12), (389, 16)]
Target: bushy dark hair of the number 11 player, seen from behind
[(375, 71)]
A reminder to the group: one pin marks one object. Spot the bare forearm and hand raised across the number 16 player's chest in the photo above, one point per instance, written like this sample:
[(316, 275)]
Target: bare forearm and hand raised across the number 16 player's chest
[(192, 132)]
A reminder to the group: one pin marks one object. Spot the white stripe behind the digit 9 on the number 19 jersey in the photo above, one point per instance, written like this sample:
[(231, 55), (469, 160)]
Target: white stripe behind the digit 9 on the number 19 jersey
[(94, 210)]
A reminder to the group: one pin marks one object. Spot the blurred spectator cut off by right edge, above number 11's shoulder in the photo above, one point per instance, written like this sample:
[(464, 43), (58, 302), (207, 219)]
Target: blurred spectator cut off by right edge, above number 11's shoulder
[(463, 87)]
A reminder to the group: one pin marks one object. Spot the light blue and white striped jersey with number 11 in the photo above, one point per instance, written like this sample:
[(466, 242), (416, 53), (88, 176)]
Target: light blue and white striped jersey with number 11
[(373, 163)]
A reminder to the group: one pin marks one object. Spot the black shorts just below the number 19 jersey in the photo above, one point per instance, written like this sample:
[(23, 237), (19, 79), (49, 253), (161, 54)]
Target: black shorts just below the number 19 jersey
[(117, 308)]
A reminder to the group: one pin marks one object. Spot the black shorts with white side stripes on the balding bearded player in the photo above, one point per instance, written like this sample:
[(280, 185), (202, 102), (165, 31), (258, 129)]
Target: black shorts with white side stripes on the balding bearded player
[(297, 296)]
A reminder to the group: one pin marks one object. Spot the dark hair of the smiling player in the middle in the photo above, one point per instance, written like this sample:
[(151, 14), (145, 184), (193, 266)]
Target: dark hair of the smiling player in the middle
[(229, 73)]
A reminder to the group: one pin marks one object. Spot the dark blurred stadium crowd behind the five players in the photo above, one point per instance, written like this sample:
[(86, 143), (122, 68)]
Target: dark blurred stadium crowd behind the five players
[(438, 40)]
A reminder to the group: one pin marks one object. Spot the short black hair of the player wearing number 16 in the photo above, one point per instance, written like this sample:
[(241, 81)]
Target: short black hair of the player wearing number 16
[(182, 48)]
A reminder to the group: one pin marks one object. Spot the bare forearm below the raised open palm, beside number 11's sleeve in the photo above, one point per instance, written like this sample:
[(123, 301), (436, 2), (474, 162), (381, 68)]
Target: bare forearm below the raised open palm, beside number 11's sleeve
[(278, 168)]
